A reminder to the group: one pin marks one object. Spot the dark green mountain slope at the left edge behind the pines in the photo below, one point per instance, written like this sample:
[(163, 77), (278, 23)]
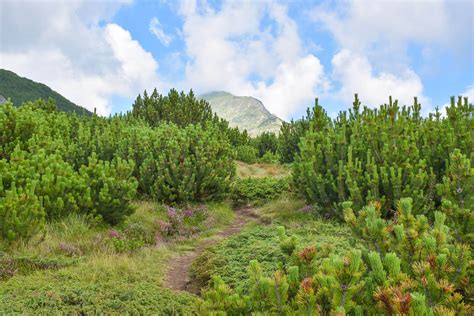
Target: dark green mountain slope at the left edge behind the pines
[(20, 90)]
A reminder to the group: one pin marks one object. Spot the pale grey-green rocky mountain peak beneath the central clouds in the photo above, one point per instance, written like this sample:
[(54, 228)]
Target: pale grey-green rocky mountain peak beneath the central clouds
[(243, 112)]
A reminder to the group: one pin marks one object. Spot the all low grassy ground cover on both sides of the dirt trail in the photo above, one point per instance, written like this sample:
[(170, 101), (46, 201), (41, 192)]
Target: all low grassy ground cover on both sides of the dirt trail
[(75, 268)]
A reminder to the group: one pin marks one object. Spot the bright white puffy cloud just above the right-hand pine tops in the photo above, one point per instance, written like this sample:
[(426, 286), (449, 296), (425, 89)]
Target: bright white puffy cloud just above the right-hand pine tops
[(356, 75)]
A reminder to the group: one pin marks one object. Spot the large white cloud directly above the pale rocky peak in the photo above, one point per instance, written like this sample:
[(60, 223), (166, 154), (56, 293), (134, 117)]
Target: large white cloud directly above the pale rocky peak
[(229, 49)]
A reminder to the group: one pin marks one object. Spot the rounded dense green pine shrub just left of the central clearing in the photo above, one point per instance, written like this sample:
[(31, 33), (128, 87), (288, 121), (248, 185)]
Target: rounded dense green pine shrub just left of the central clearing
[(194, 165)]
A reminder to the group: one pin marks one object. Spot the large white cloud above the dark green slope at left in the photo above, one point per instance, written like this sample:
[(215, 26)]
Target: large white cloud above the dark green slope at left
[(74, 52)]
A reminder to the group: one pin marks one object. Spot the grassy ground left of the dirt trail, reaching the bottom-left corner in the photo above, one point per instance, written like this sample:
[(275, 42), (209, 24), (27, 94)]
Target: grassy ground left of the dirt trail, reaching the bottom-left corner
[(93, 277)]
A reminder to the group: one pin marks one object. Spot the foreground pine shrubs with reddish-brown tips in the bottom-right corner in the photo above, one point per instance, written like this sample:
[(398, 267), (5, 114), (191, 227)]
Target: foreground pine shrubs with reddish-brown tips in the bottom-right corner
[(410, 267)]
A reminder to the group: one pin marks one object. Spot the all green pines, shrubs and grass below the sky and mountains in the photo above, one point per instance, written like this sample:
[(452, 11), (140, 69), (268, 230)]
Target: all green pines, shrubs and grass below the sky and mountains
[(373, 216)]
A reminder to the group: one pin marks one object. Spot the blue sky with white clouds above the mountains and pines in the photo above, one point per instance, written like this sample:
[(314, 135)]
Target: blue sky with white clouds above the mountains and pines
[(102, 54)]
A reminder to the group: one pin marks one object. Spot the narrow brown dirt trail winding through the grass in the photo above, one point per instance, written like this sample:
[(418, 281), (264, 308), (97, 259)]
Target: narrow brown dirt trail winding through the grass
[(177, 276)]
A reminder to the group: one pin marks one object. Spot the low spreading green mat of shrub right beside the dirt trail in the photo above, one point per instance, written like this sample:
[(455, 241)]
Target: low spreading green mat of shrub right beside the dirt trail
[(230, 258)]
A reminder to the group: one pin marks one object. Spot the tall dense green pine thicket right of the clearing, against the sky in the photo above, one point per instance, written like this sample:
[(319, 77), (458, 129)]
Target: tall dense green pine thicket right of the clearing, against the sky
[(381, 155)]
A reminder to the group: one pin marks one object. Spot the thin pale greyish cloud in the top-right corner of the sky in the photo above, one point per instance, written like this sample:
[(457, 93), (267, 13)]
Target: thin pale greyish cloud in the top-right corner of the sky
[(383, 29)]
